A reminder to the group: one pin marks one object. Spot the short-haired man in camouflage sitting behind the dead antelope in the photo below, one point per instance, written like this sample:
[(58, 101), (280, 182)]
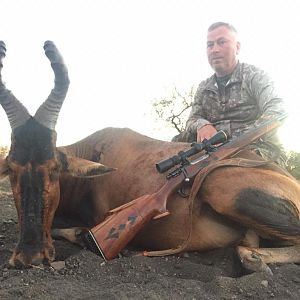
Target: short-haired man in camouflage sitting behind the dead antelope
[(235, 98)]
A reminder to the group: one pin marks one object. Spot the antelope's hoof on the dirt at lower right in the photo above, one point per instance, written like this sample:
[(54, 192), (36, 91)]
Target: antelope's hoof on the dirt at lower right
[(252, 261)]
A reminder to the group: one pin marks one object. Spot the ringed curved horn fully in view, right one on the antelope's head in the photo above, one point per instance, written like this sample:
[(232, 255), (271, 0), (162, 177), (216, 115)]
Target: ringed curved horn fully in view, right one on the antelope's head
[(47, 113)]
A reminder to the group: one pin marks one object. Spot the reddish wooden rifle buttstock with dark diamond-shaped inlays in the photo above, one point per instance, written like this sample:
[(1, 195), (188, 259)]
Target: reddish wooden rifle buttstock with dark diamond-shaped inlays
[(120, 227)]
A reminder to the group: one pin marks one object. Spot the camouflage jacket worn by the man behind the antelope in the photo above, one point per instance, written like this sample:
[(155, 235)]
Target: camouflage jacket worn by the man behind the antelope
[(248, 97)]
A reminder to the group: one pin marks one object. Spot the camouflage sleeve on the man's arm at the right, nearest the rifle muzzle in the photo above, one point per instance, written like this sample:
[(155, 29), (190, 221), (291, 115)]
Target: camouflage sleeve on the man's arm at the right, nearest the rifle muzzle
[(263, 90)]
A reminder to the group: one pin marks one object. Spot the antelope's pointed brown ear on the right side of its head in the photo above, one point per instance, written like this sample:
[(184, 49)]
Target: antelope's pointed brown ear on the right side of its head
[(79, 167)]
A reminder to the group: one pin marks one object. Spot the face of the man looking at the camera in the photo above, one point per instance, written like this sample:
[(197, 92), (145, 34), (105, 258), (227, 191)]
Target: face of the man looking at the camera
[(222, 50)]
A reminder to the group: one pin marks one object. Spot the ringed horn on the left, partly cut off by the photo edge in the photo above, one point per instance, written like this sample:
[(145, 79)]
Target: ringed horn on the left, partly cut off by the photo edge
[(17, 114)]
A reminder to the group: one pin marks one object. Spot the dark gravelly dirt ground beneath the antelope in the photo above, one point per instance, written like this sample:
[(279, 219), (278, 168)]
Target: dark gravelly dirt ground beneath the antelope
[(79, 274)]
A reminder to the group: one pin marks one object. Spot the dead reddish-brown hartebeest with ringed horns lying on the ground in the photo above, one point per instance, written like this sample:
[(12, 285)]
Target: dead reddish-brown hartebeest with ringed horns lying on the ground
[(237, 203)]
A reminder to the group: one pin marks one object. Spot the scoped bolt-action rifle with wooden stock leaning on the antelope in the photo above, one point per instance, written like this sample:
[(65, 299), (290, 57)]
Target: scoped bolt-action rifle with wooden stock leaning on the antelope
[(112, 235)]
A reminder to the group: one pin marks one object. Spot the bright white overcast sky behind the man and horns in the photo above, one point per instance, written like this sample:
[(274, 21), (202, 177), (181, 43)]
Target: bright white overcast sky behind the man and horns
[(123, 54)]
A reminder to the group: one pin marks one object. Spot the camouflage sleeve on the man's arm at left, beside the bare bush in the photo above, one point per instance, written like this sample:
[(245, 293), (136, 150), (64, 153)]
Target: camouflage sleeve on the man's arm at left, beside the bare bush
[(196, 118)]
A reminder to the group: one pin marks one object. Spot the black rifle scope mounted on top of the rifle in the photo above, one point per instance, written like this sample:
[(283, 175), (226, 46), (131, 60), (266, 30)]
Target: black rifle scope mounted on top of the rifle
[(219, 138)]
